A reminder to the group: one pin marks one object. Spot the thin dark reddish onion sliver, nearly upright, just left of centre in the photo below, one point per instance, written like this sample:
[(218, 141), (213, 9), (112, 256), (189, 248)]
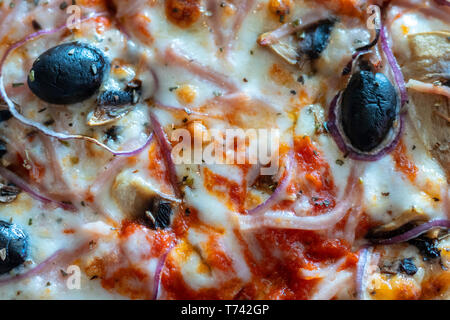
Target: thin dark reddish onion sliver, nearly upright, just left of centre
[(166, 149)]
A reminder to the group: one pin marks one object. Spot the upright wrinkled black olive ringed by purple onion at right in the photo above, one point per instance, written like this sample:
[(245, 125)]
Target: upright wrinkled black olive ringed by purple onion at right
[(369, 105)]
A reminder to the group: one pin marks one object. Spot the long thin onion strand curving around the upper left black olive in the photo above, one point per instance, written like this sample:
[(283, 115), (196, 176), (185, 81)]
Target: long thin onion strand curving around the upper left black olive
[(38, 126)]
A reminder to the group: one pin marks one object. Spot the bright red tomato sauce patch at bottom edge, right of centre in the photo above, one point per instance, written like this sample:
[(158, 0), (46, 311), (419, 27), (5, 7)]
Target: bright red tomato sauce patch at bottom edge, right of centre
[(277, 276)]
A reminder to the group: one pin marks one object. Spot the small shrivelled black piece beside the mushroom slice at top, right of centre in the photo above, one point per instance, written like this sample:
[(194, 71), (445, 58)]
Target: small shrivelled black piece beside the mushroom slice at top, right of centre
[(316, 38)]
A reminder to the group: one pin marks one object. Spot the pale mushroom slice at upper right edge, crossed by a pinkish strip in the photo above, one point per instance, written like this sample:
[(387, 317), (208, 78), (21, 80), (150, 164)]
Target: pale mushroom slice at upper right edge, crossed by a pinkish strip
[(429, 67)]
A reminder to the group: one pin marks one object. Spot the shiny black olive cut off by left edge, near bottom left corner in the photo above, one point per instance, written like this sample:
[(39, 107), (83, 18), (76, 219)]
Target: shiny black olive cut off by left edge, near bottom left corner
[(14, 246)]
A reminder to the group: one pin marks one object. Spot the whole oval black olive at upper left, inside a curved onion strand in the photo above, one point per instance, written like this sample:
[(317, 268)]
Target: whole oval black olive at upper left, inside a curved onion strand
[(68, 73)]
